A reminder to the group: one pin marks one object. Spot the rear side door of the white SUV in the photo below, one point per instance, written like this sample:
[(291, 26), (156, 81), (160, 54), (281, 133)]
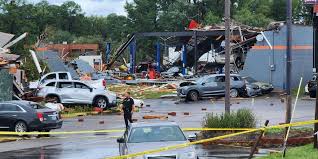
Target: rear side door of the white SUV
[(66, 92)]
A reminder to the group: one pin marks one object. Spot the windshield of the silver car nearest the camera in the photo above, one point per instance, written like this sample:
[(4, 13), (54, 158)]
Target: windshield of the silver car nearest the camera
[(156, 134)]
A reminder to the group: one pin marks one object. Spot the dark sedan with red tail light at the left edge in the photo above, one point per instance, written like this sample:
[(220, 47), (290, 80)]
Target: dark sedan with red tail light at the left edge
[(24, 116)]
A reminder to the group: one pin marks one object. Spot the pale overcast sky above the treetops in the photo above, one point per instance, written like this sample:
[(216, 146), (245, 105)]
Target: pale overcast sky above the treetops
[(95, 7)]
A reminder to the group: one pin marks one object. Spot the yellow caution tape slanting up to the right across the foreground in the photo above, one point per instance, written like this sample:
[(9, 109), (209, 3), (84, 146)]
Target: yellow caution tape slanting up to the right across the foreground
[(211, 139)]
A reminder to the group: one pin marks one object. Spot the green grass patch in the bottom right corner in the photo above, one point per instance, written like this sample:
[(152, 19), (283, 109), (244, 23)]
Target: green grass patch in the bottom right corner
[(302, 152)]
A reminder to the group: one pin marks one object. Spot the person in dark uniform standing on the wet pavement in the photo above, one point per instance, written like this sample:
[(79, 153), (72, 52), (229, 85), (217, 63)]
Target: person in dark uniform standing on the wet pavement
[(128, 107)]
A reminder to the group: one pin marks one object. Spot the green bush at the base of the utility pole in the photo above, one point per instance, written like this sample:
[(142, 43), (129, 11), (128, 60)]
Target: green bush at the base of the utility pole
[(242, 118)]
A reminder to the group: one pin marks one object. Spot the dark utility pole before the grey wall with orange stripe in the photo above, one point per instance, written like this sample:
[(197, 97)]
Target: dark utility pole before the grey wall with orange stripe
[(288, 61)]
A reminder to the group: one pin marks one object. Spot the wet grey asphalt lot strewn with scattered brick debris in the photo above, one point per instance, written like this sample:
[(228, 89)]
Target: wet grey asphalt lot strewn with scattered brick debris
[(97, 146)]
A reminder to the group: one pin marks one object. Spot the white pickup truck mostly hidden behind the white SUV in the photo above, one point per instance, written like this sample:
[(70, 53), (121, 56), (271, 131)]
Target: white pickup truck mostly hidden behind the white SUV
[(101, 83)]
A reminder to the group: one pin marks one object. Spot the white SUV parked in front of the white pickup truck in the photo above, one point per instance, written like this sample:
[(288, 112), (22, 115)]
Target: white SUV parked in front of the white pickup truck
[(76, 92)]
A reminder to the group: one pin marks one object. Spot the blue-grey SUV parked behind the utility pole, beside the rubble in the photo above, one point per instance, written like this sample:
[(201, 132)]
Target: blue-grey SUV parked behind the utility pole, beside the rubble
[(211, 85)]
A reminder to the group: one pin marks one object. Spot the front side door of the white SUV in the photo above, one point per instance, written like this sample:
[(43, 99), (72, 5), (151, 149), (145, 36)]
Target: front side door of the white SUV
[(83, 93)]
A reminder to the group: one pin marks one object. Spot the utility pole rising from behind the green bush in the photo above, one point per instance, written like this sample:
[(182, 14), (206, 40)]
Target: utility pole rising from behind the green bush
[(227, 55)]
